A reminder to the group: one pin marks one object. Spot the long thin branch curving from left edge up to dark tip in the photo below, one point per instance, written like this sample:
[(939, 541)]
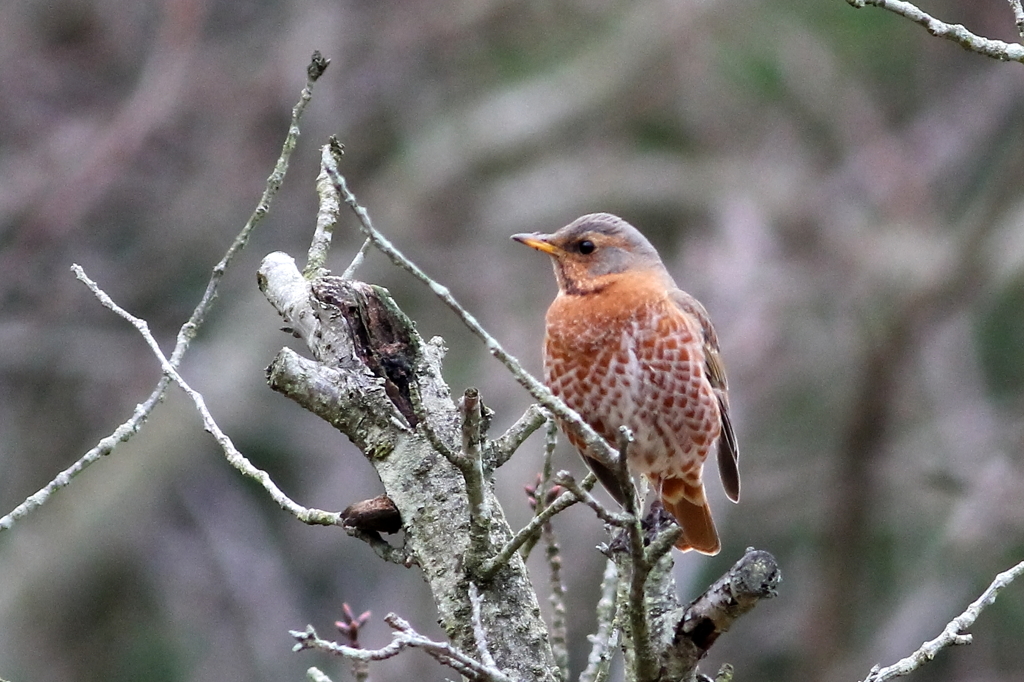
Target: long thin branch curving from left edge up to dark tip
[(135, 424)]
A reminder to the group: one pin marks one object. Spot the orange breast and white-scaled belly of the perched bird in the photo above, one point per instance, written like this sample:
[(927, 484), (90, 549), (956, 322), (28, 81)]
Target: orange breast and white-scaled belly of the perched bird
[(629, 356)]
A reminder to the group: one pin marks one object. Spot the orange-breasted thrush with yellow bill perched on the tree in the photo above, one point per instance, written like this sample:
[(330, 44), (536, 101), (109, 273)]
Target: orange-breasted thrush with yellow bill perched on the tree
[(625, 347)]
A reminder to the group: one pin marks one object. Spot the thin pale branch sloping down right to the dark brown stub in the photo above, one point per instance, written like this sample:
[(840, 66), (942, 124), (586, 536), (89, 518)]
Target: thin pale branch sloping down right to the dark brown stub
[(235, 458)]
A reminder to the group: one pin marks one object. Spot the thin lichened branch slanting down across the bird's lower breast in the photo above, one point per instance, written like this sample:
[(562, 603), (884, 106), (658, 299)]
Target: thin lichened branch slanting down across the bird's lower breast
[(596, 446)]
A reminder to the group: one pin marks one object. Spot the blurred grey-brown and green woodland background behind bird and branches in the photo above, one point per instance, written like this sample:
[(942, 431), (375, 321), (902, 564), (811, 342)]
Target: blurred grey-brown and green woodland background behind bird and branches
[(841, 190)]
